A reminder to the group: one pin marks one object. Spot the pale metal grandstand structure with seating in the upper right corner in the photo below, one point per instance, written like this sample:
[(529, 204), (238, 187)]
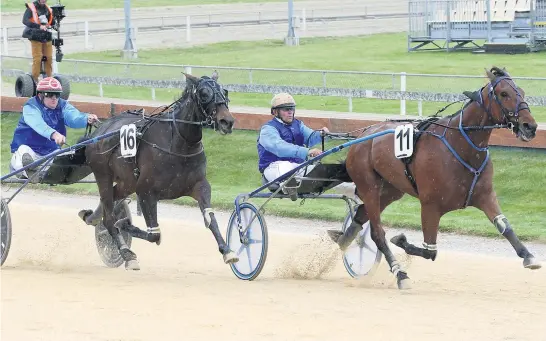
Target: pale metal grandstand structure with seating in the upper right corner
[(497, 26)]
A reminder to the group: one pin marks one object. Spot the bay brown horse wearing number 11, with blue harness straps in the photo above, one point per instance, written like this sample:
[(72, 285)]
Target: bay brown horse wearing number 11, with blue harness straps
[(450, 169)]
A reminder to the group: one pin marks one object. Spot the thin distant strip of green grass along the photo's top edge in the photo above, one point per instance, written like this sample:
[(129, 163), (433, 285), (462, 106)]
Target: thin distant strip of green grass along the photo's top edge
[(19, 5)]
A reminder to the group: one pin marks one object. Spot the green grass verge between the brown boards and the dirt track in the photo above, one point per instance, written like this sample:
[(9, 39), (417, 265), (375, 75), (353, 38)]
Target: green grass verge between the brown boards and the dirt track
[(232, 169)]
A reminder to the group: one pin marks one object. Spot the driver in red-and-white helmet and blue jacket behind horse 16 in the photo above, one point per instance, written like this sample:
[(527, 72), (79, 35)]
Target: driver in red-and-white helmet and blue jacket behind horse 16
[(42, 127)]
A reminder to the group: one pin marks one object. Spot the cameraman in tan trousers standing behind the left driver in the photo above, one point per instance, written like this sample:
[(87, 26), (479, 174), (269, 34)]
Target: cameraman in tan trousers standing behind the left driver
[(38, 18)]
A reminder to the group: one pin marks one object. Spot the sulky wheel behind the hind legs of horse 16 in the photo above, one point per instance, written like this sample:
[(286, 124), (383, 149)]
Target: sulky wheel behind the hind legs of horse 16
[(108, 250)]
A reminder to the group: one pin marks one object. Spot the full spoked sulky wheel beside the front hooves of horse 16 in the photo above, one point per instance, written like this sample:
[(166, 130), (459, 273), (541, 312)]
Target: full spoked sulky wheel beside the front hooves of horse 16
[(249, 242)]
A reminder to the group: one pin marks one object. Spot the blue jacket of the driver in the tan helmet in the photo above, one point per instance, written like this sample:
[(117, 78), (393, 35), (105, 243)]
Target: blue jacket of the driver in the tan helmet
[(282, 142)]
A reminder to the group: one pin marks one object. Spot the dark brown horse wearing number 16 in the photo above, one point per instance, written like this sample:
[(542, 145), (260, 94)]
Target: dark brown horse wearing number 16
[(170, 163)]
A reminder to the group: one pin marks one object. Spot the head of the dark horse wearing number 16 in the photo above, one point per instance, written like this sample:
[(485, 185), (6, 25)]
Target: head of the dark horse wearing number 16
[(212, 100)]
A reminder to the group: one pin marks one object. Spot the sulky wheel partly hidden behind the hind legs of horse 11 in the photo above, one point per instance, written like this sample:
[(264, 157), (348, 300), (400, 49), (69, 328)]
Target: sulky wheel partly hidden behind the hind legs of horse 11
[(361, 257)]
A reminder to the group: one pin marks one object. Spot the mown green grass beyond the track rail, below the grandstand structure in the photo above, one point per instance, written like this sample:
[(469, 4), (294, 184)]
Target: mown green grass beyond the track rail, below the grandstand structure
[(382, 52)]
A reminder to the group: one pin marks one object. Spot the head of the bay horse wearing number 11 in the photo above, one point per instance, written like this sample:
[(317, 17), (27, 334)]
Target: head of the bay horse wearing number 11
[(508, 105)]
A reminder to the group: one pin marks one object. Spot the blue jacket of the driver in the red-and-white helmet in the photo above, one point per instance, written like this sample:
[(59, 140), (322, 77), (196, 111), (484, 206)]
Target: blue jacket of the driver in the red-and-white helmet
[(38, 122)]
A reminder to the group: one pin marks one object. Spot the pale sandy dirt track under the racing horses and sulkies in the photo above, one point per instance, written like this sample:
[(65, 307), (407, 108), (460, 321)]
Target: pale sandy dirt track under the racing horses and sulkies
[(54, 287)]
